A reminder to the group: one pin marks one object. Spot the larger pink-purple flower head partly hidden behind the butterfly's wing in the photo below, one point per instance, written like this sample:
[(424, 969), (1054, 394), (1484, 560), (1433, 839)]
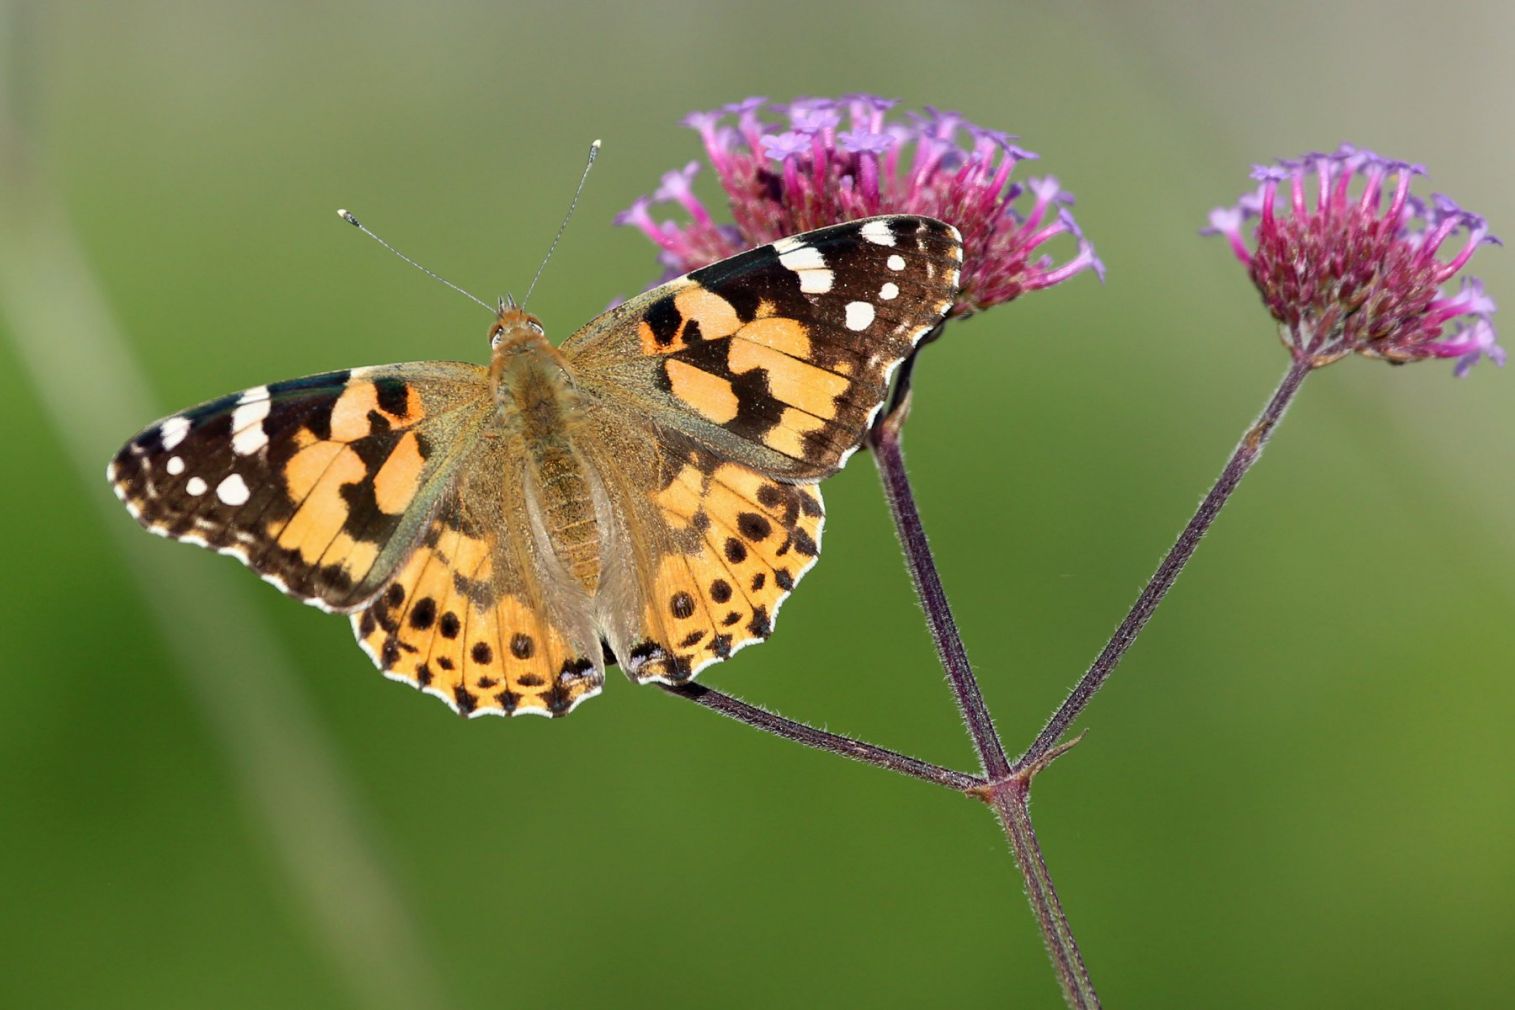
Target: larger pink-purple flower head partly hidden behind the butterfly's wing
[(795, 167)]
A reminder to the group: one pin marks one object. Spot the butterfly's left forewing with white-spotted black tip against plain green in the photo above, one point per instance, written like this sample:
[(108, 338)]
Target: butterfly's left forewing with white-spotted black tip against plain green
[(317, 484)]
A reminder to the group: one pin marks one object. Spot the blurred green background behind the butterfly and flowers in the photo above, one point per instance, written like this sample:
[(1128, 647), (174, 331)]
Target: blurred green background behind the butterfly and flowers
[(1298, 791)]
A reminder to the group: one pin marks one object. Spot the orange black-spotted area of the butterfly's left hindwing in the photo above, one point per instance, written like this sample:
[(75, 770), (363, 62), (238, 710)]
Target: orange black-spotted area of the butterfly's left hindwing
[(446, 628)]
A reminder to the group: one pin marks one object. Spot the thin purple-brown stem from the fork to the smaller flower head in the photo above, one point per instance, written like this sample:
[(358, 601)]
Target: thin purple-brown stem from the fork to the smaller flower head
[(1237, 467)]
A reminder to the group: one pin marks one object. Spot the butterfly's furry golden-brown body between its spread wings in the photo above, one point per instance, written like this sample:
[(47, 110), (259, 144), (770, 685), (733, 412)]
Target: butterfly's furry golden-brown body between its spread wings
[(537, 402)]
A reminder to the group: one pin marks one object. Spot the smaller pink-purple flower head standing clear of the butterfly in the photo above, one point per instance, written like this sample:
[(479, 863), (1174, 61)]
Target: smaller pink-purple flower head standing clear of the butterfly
[(1363, 267)]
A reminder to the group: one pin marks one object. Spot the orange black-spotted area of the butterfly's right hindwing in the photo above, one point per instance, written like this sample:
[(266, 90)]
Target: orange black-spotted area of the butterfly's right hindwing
[(751, 540)]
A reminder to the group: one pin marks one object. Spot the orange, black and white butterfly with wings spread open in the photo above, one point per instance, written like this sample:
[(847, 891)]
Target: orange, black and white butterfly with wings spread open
[(642, 496)]
